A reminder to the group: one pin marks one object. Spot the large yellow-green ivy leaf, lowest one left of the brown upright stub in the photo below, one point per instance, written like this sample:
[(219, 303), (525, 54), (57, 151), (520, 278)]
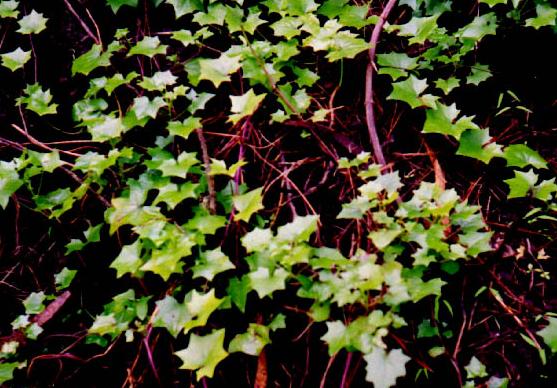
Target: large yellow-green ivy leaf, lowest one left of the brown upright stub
[(203, 353)]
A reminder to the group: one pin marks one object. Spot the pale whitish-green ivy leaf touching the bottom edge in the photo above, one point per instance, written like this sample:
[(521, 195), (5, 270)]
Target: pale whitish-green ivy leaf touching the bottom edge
[(383, 368)]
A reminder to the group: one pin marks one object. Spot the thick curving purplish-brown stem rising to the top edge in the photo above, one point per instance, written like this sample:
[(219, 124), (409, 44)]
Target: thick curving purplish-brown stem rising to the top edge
[(370, 116)]
